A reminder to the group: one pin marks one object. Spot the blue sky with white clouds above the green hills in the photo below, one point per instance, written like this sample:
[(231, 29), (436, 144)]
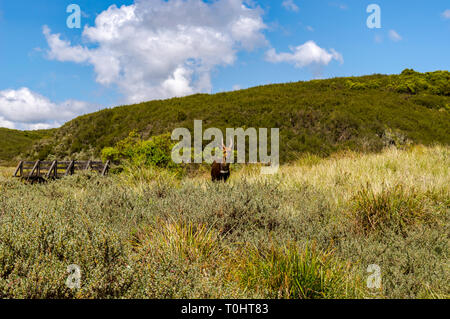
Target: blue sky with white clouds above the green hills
[(176, 49)]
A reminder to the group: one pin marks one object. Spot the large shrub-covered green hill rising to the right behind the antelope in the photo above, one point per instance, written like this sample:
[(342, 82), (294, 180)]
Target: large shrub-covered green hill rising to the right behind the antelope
[(319, 116)]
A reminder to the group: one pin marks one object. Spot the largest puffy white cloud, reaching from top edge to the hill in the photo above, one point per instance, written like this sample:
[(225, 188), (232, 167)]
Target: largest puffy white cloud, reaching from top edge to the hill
[(157, 49)]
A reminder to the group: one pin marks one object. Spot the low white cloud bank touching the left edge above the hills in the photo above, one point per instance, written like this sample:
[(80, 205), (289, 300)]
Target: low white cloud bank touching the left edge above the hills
[(25, 109)]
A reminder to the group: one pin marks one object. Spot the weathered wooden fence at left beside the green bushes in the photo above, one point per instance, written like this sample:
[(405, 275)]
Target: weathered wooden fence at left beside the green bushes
[(42, 170)]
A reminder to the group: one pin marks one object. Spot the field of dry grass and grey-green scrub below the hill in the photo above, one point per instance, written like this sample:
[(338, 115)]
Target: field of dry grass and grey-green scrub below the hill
[(310, 231)]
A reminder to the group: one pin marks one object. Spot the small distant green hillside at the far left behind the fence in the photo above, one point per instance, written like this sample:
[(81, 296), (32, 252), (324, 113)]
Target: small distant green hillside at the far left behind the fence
[(14, 142)]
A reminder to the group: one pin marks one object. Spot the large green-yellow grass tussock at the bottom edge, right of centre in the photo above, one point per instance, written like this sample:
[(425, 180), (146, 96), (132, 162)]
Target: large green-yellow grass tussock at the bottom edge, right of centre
[(290, 273)]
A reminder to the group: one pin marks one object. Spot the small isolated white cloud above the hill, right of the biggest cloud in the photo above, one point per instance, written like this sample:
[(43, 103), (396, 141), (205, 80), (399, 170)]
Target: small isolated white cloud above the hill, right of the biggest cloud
[(306, 54)]
